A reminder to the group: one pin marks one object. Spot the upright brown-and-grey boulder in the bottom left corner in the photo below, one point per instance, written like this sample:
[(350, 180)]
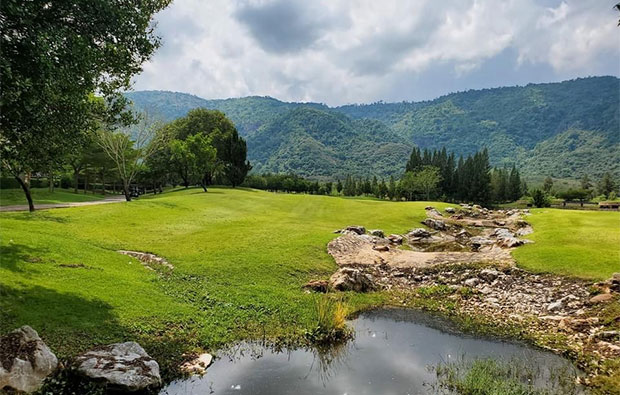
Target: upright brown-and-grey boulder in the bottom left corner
[(26, 360)]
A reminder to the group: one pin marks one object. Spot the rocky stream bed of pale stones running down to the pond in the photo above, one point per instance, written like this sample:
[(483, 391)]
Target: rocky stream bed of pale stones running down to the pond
[(503, 294)]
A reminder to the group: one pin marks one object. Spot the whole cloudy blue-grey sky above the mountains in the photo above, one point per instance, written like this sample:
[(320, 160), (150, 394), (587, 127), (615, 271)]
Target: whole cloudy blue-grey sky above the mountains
[(340, 52)]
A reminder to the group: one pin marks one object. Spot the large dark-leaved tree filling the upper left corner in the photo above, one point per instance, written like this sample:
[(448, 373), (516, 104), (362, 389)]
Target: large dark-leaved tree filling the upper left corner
[(53, 56)]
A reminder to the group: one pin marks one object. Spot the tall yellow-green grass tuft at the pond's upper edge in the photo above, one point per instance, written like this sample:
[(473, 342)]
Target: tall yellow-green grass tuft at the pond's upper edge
[(331, 326)]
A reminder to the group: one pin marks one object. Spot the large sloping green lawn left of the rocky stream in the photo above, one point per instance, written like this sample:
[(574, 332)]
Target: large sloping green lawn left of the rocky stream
[(240, 258)]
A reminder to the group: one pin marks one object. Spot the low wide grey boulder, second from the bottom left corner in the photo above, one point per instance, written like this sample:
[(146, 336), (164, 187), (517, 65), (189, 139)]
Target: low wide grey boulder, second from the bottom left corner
[(121, 366)]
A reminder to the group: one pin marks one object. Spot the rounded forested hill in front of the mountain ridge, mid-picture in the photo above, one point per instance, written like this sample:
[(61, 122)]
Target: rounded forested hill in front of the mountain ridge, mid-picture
[(323, 144)]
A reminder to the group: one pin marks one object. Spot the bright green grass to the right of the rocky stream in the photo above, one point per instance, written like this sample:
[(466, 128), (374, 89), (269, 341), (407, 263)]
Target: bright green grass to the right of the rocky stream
[(574, 243)]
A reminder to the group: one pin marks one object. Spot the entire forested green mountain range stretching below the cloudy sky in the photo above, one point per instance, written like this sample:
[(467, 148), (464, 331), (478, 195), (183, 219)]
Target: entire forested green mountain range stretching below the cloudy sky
[(564, 129)]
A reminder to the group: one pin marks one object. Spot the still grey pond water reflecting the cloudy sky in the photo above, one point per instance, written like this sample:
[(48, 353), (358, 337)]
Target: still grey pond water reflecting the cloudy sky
[(390, 355)]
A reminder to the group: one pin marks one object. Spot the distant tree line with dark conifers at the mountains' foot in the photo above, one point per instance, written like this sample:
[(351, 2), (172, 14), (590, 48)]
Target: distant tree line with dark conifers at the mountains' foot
[(429, 175)]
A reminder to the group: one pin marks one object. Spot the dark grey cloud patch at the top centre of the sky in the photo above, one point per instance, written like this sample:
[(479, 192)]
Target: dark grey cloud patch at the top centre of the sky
[(283, 26)]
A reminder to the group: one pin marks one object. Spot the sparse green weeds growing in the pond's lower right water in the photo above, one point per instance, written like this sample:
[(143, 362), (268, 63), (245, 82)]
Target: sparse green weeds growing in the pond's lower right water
[(514, 377)]
